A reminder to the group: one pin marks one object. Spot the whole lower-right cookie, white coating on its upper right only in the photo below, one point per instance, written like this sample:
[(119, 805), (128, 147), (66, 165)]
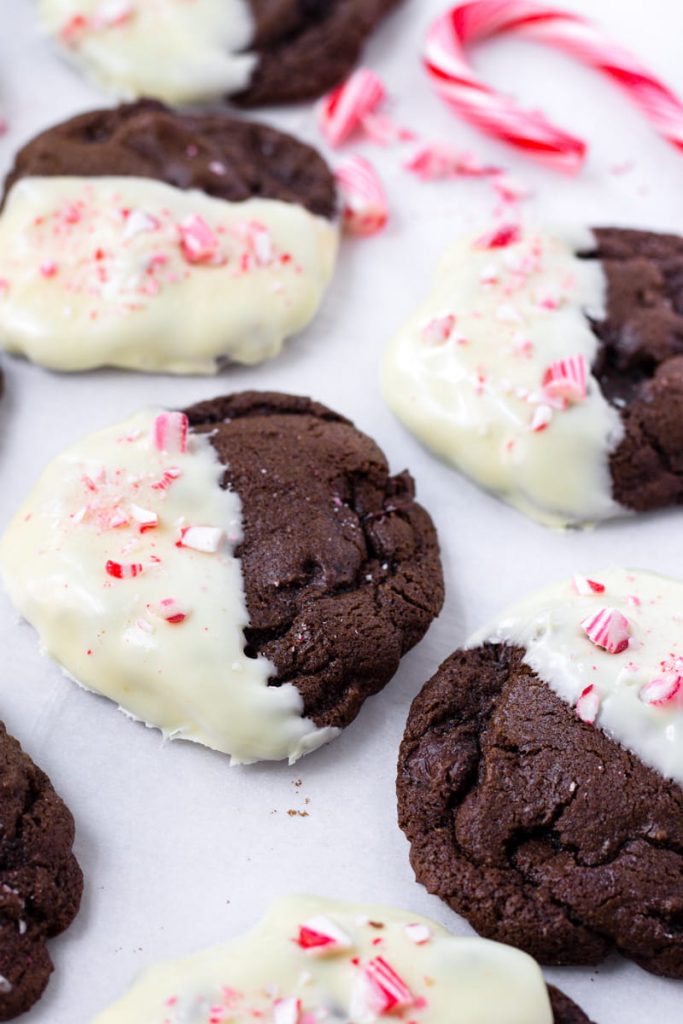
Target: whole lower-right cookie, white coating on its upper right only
[(540, 776)]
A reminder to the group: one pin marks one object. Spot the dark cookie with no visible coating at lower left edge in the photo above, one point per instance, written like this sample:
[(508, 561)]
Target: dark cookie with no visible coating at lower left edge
[(40, 881)]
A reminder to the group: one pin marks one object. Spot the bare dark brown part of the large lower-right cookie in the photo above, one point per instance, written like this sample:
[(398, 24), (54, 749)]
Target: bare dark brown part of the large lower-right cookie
[(537, 828)]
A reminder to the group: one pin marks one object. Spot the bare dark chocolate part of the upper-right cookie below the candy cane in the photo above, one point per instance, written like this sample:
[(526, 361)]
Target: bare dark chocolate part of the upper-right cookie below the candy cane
[(641, 365)]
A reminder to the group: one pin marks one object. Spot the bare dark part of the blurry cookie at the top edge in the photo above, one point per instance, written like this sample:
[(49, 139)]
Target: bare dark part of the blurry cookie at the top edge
[(306, 48)]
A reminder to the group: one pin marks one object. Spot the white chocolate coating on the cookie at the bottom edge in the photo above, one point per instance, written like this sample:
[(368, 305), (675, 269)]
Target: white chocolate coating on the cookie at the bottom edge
[(451, 979)]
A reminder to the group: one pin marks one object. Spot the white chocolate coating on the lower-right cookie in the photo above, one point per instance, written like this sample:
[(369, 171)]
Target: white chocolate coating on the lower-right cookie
[(548, 626)]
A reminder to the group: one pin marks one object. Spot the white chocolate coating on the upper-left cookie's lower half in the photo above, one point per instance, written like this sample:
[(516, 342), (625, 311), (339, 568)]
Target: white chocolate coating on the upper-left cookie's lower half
[(98, 272)]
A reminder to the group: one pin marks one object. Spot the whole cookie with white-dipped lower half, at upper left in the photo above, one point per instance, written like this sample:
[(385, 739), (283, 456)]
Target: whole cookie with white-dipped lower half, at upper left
[(152, 240)]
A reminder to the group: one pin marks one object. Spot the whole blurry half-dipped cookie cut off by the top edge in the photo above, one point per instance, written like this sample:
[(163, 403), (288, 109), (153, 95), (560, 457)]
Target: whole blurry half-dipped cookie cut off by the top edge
[(258, 52)]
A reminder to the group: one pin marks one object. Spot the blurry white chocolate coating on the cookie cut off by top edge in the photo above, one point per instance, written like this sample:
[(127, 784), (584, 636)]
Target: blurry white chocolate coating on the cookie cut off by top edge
[(181, 52)]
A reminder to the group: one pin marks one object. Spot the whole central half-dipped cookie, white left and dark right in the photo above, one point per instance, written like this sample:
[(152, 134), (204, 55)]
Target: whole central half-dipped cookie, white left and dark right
[(243, 575)]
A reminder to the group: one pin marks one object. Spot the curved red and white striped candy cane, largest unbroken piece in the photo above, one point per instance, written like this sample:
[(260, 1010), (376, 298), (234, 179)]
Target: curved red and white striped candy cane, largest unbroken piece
[(458, 84)]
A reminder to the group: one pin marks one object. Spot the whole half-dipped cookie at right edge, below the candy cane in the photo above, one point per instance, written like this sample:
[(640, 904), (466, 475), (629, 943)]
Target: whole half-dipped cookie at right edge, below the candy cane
[(547, 366)]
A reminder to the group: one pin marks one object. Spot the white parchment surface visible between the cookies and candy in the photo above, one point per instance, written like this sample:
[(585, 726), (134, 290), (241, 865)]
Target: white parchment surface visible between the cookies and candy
[(179, 850)]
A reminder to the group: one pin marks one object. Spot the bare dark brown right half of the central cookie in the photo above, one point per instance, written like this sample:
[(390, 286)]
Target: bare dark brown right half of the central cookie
[(341, 566)]
